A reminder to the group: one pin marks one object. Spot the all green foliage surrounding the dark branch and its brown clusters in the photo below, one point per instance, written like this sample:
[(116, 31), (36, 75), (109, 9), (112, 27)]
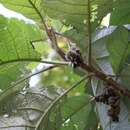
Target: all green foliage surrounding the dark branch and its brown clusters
[(55, 105)]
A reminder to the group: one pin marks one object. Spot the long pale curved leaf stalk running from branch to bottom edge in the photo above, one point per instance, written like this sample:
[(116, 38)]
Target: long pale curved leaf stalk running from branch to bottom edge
[(57, 100)]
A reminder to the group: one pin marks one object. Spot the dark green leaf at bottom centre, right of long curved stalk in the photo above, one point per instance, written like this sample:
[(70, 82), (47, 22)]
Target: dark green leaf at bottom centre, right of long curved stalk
[(73, 112)]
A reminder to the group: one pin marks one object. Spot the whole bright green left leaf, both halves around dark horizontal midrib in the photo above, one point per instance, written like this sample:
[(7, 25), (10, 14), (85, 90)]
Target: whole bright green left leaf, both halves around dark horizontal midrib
[(15, 45)]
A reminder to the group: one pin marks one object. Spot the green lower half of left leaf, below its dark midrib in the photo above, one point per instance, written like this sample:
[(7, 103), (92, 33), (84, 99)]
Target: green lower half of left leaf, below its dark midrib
[(10, 73)]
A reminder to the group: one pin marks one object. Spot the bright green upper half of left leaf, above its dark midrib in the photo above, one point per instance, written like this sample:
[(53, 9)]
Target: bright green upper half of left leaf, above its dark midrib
[(15, 40)]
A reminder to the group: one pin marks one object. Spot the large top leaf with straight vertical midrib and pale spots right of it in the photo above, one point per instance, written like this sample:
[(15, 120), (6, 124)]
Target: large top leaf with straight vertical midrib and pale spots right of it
[(75, 12)]
